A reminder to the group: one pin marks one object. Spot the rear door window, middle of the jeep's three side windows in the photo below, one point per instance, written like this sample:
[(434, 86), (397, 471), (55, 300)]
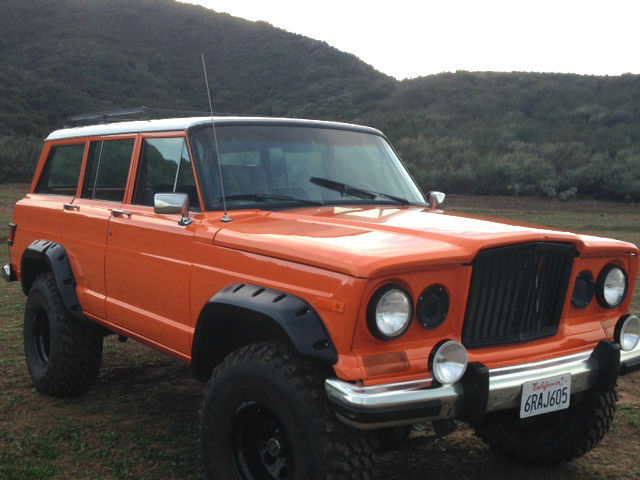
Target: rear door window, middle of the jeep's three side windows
[(107, 170)]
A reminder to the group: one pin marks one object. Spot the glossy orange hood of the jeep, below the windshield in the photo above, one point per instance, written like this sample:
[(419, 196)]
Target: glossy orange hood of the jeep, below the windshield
[(371, 241)]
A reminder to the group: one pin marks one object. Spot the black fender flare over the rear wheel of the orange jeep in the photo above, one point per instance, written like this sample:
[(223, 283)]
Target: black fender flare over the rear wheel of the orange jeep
[(55, 257)]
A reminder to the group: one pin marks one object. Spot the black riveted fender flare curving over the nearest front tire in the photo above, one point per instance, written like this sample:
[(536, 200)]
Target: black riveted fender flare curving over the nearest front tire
[(291, 316)]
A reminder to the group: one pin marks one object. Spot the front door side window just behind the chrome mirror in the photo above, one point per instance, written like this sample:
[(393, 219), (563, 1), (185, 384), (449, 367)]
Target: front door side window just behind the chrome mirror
[(164, 167)]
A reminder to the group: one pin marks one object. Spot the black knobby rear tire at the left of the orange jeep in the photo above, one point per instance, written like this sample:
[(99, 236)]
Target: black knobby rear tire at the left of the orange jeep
[(63, 354)]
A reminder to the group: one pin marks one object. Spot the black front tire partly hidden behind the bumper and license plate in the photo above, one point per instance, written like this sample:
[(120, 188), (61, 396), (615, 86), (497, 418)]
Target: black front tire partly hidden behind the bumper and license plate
[(555, 438)]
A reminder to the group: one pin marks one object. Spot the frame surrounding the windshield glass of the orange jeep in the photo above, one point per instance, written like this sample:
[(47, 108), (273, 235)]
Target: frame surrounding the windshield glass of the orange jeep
[(212, 205)]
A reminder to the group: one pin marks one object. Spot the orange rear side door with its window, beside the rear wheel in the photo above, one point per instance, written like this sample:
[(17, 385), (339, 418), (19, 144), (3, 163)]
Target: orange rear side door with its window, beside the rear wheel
[(85, 218)]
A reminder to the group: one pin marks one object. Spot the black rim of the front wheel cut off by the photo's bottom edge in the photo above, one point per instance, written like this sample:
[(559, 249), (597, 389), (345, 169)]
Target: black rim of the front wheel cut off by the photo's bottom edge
[(261, 448)]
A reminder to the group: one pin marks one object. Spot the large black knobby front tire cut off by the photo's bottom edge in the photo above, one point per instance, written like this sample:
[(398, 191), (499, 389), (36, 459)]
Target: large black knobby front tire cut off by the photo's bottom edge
[(271, 380)]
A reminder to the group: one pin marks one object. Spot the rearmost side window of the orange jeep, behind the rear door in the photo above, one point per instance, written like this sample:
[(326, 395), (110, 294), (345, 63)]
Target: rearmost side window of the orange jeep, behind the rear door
[(62, 170)]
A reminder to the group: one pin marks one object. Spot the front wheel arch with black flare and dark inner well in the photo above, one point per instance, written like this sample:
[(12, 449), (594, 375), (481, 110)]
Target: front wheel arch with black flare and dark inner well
[(242, 313)]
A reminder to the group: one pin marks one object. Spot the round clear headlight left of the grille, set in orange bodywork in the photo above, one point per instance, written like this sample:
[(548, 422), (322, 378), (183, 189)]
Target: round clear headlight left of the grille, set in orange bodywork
[(389, 312)]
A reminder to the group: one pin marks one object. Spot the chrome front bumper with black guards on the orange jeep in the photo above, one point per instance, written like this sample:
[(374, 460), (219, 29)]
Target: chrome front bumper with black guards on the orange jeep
[(484, 390)]
